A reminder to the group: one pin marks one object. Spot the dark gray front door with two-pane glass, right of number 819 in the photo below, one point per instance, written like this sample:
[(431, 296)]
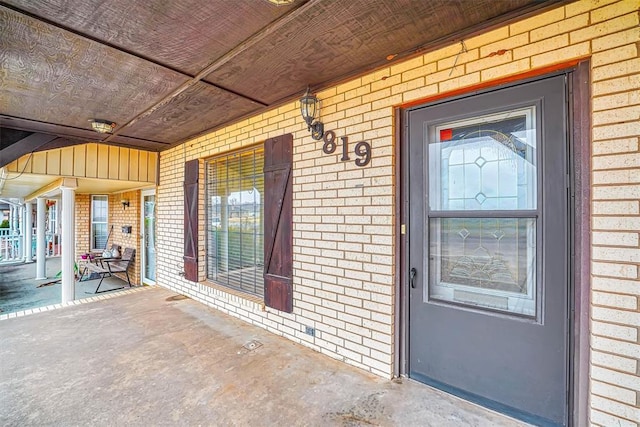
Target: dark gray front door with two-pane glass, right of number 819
[(488, 245)]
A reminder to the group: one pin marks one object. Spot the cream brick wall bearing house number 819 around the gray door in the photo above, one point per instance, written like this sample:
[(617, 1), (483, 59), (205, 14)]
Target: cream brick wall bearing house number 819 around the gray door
[(344, 255)]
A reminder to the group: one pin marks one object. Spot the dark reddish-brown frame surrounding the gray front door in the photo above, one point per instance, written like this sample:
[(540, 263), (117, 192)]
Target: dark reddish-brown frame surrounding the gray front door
[(579, 158)]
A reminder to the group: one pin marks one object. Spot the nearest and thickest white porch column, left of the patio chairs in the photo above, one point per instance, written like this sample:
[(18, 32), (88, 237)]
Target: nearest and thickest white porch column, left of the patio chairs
[(68, 239)]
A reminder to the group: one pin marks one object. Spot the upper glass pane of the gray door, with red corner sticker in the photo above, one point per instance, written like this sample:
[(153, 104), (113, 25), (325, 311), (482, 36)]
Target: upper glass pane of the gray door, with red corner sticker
[(484, 163)]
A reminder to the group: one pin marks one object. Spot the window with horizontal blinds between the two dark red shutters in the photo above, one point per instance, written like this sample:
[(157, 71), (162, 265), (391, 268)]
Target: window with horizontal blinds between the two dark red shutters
[(235, 223)]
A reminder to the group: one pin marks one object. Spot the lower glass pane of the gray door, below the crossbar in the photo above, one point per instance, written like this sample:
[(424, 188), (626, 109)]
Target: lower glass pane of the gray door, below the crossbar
[(484, 262)]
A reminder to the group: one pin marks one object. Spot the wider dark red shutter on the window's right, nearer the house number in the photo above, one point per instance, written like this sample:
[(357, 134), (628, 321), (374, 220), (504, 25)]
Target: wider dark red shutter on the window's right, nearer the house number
[(278, 223)]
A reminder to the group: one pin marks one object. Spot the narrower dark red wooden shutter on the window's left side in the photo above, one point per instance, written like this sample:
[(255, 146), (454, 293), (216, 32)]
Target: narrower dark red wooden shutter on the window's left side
[(191, 220)]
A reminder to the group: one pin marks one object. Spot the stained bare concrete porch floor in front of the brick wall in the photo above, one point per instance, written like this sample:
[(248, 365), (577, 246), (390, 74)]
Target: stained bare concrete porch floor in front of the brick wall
[(147, 358)]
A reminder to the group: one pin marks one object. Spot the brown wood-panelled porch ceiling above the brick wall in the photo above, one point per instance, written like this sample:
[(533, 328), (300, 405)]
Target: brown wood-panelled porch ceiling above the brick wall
[(166, 71)]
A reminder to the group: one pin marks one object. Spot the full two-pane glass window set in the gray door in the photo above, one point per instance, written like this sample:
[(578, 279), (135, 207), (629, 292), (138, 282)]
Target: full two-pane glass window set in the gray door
[(483, 212)]
